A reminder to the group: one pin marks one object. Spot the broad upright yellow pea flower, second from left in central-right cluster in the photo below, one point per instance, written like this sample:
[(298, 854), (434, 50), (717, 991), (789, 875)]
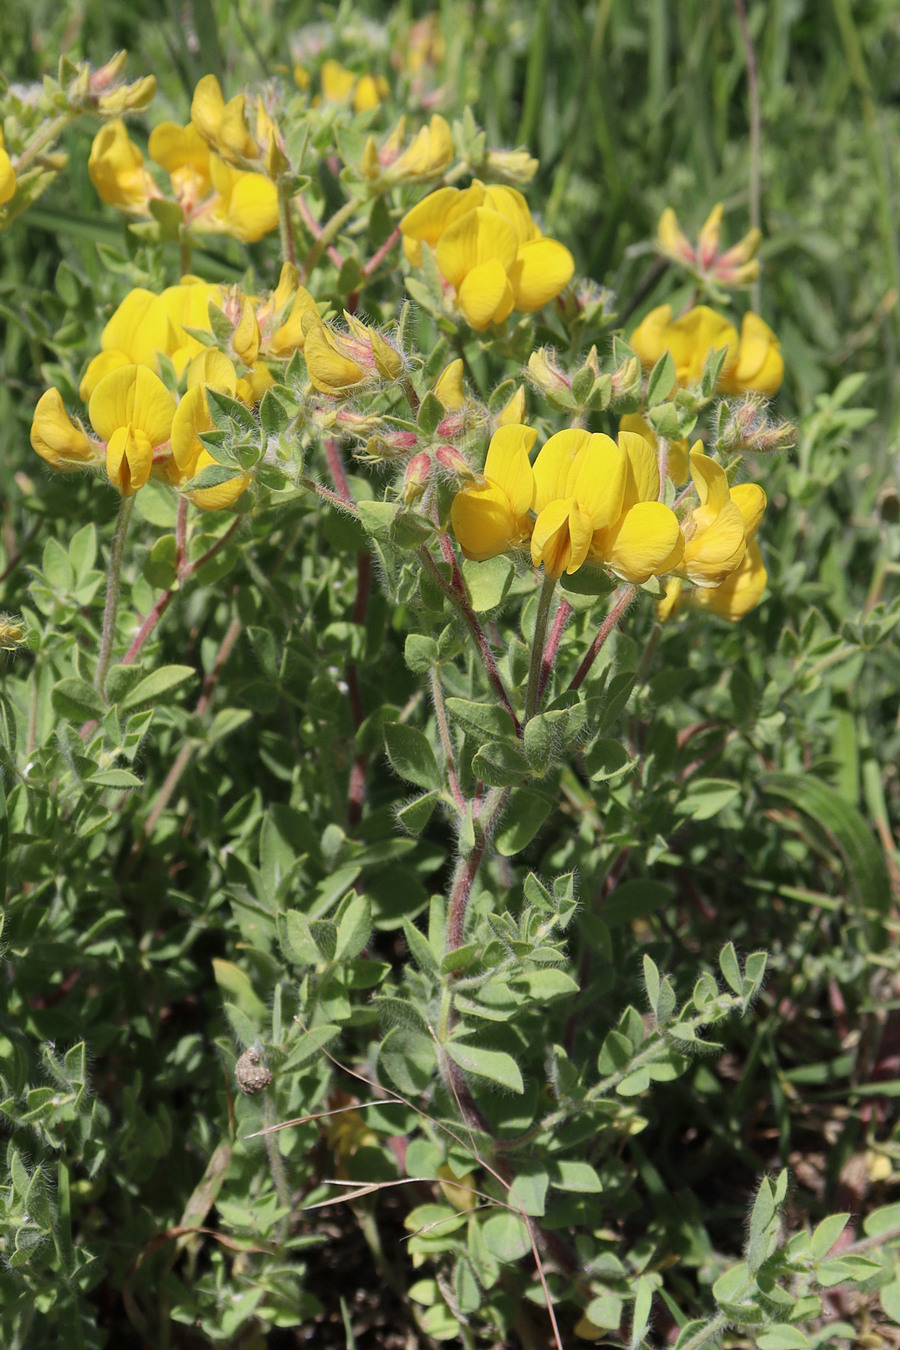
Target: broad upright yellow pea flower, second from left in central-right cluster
[(580, 480)]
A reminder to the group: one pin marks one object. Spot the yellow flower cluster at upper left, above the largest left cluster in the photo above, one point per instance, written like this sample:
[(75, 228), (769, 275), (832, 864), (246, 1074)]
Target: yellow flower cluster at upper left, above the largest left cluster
[(206, 163)]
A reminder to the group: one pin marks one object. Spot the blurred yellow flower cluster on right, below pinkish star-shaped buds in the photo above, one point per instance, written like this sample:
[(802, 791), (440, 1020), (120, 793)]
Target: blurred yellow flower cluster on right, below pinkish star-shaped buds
[(752, 364)]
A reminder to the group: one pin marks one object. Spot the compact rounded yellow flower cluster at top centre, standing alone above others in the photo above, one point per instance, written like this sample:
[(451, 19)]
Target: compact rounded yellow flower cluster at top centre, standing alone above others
[(490, 253)]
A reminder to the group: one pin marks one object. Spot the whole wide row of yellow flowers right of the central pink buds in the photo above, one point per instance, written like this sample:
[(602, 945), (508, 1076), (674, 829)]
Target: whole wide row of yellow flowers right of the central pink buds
[(590, 500)]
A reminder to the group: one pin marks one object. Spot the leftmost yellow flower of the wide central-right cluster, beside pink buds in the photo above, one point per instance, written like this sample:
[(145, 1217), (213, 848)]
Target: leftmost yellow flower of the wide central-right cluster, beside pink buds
[(493, 515)]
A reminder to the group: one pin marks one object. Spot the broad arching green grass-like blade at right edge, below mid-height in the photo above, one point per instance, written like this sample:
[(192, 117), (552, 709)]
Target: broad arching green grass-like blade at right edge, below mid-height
[(845, 826)]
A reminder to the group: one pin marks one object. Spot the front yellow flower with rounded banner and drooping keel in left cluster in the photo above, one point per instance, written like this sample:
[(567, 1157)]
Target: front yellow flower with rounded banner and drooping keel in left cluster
[(132, 410)]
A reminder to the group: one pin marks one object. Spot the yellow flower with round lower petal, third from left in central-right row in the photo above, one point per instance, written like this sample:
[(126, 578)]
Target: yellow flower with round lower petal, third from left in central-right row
[(646, 539)]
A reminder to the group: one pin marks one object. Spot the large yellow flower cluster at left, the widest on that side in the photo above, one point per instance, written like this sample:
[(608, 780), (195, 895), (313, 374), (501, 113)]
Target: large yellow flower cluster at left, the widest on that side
[(142, 430)]
